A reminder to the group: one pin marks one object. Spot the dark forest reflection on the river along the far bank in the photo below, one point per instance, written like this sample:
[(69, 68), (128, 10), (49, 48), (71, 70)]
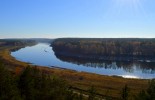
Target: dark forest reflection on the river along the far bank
[(128, 66)]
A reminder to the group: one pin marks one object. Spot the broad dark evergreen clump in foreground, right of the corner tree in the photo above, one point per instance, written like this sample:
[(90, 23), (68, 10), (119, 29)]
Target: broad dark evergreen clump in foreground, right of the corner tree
[(38, 85)]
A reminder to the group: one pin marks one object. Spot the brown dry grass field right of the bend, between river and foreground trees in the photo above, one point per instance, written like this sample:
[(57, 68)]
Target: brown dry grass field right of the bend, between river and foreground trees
[(102, 83)]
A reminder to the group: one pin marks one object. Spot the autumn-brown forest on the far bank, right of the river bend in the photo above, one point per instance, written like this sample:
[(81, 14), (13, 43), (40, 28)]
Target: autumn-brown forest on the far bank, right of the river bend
[(106, 48)]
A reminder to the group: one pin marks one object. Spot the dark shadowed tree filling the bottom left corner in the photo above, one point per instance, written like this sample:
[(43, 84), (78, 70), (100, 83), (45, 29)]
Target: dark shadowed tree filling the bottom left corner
[(8, 86)]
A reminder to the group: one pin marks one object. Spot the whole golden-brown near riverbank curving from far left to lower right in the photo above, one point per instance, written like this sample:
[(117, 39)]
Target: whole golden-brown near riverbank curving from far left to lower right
[(105, 85)]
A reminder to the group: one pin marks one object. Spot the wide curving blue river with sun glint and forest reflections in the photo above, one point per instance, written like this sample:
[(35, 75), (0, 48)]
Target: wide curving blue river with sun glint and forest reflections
[(42, 54)]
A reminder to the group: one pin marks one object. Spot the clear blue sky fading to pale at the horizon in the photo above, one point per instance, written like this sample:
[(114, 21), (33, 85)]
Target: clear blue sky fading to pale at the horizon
[(77, 18)]
